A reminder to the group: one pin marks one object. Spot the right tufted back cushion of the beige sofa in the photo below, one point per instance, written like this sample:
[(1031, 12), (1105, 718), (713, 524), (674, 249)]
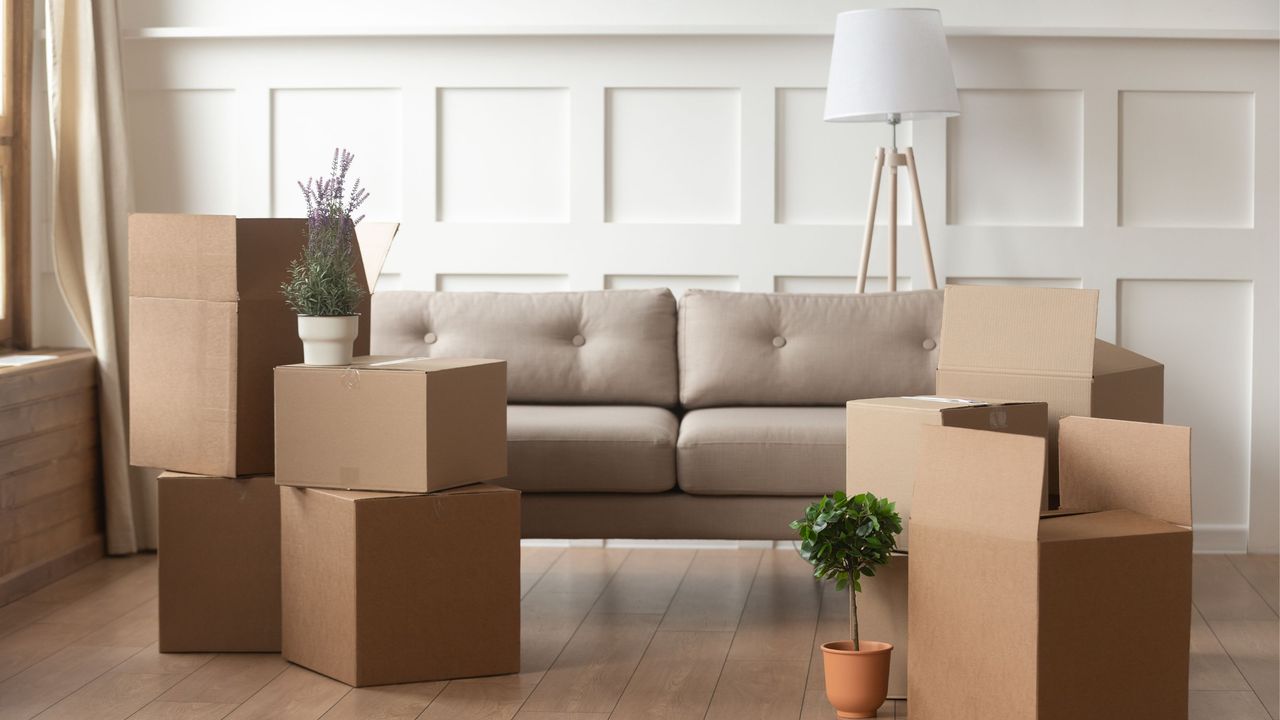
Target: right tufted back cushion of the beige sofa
[(785, 349)]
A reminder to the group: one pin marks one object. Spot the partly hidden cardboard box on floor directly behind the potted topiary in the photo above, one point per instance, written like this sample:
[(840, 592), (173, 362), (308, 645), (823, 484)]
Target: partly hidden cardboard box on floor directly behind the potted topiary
[(883, 617)]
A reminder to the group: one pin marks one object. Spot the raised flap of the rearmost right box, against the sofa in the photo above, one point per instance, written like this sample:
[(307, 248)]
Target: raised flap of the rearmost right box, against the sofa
[(1020, 330)]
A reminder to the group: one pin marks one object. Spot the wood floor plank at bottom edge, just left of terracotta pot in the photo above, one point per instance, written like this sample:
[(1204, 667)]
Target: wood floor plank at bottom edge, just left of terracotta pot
[(760, 690)]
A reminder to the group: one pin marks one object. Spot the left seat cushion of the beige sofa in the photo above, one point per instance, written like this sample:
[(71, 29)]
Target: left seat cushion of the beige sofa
[(591, 449)]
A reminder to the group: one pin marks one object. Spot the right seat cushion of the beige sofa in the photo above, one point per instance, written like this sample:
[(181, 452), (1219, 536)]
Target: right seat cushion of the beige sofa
[(762, 452)]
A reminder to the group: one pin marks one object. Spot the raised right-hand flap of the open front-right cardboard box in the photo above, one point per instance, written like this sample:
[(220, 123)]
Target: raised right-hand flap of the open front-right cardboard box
[(1123, 466)]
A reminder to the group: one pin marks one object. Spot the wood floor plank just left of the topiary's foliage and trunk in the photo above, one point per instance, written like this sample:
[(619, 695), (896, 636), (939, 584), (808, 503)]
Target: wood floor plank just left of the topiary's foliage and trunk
[(781, 613)]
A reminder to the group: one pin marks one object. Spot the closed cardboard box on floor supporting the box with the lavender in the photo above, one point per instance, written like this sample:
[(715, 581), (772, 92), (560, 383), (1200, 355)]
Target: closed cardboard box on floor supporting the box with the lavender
[(399, 589)]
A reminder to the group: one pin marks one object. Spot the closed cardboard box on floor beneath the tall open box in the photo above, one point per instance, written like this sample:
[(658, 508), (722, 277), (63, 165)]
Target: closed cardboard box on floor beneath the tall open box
[(220, 564)]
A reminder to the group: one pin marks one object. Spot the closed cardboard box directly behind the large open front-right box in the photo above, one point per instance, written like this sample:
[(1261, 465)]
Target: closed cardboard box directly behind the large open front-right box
[(884, 440)]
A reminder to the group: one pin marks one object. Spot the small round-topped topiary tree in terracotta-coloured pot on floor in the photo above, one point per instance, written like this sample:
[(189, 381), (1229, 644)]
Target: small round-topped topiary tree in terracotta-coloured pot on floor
[(847, 539)]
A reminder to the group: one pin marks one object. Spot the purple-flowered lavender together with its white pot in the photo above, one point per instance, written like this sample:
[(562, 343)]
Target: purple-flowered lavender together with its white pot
[(322, 286)]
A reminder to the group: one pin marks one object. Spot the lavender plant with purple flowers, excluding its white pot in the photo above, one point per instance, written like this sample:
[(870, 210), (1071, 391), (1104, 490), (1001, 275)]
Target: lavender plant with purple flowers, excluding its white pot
[(323, 280)]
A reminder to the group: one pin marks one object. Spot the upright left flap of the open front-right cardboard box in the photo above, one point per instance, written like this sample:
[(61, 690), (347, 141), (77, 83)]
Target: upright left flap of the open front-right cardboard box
[(980, 482)]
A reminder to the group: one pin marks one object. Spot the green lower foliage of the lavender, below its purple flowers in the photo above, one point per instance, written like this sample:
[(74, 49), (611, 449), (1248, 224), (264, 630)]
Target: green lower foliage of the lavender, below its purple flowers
[(323, 281)]
